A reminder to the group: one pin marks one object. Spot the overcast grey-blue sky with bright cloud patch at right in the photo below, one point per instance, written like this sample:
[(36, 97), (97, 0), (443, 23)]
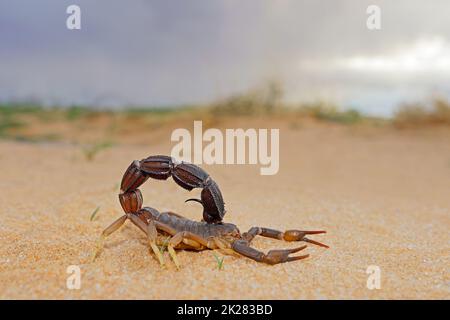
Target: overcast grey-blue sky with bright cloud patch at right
[(167, 52)]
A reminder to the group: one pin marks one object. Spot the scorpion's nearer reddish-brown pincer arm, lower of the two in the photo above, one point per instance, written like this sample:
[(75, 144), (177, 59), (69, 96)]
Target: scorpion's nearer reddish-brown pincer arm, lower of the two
[(272, 257)]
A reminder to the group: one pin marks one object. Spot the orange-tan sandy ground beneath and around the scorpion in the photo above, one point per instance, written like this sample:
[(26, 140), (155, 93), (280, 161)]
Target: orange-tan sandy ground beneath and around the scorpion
[(383, 196)]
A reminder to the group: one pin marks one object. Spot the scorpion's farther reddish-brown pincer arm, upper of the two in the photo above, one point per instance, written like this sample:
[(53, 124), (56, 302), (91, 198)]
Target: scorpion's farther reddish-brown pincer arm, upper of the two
[(289, 235)]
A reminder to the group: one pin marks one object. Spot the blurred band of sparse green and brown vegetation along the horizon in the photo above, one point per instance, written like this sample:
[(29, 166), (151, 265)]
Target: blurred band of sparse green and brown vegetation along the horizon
[(77, 124)]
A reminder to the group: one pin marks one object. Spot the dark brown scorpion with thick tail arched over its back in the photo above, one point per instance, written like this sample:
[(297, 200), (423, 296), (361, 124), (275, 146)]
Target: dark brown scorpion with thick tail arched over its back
[(185, 234)]
